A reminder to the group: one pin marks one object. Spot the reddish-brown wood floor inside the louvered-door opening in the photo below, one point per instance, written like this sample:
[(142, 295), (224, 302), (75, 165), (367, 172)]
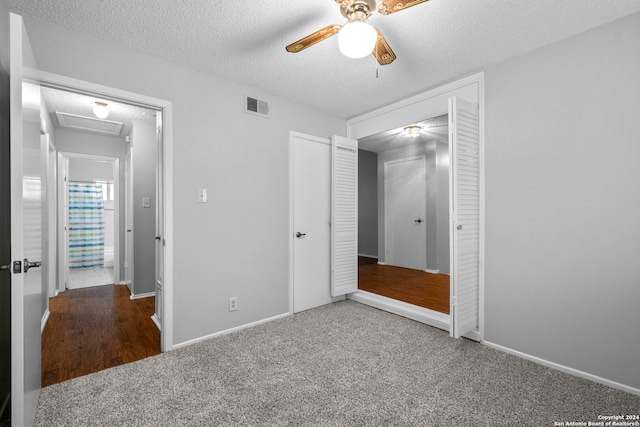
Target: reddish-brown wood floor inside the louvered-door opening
[(404, 284)]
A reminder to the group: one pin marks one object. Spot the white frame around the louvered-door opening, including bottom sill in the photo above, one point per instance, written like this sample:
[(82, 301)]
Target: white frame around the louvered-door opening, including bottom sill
[(417, 108)]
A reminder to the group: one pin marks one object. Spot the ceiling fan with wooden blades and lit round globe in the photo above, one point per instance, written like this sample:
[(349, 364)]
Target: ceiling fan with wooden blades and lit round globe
[(356, 38)]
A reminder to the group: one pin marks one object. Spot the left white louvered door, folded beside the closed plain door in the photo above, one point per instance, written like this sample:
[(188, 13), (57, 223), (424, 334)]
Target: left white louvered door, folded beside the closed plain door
[(344, 216)]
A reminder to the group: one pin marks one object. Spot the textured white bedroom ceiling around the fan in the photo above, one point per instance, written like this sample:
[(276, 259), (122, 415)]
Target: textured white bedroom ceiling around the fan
[(244, 40)]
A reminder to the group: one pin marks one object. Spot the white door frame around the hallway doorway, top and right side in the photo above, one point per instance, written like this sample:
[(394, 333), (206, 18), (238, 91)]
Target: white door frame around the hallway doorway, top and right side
[(166, 108)]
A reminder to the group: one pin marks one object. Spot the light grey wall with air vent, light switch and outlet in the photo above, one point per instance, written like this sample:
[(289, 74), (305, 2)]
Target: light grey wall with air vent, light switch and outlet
[(237, 244)]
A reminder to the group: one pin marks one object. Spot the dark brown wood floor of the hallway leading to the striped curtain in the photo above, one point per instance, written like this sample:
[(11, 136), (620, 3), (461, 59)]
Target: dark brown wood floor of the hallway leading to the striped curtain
[(96, 328)]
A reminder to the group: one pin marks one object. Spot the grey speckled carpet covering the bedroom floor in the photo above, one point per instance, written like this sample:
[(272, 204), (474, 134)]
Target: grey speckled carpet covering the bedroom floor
[(344, 364)]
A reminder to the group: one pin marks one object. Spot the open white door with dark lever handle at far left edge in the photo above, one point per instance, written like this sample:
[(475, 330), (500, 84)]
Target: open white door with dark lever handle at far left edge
[(26, 229)]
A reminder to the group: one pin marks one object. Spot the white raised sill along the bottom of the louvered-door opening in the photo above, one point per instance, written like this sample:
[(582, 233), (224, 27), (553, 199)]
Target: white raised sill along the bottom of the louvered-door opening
[(414, 312)]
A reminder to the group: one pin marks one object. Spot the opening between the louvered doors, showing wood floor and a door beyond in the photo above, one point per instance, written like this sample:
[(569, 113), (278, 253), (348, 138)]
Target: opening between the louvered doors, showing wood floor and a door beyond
[(403, 215)]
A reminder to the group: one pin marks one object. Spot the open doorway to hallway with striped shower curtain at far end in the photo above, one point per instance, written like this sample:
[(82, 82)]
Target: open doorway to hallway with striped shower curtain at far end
[(98, 227)]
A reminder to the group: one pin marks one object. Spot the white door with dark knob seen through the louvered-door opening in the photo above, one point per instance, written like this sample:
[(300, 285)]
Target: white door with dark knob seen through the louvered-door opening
[(405, 213)]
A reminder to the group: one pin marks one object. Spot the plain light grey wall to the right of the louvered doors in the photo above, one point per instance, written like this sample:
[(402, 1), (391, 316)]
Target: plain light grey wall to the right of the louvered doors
[(562, 202)]
